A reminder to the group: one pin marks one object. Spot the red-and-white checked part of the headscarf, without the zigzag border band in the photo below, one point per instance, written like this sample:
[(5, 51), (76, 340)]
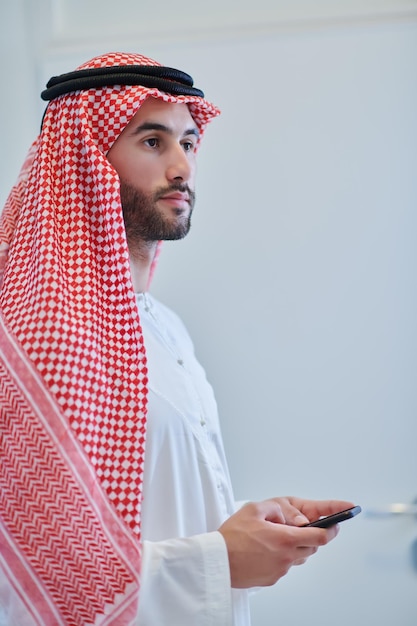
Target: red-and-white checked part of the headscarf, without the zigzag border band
[(67, 294)]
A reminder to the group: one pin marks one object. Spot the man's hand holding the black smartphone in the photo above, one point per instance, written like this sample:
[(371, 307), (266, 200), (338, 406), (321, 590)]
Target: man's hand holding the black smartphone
[(264, 540)]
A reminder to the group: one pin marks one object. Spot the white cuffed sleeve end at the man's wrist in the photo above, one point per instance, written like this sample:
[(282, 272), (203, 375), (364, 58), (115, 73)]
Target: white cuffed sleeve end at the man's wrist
[(185, 582)]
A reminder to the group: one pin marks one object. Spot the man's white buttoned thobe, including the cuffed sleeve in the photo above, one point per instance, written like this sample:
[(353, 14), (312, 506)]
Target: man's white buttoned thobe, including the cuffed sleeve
[(187, 493)]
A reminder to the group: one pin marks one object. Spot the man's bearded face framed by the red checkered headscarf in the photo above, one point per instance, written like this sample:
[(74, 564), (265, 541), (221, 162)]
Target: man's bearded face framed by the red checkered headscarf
[(155, 159)]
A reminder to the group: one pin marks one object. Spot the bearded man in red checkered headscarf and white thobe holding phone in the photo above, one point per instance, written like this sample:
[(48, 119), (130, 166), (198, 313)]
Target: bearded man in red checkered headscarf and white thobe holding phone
[(92, 529)]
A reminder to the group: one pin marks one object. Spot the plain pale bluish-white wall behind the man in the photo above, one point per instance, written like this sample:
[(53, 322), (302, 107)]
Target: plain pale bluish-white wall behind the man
[(297, 281)]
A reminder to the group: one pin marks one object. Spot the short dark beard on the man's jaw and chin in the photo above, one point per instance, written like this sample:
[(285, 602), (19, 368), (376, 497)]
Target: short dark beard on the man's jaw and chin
[(145, 222)]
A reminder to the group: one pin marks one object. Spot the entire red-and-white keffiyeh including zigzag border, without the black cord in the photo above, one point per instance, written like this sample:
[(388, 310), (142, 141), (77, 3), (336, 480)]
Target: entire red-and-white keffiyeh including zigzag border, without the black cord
[(73, 379)]
